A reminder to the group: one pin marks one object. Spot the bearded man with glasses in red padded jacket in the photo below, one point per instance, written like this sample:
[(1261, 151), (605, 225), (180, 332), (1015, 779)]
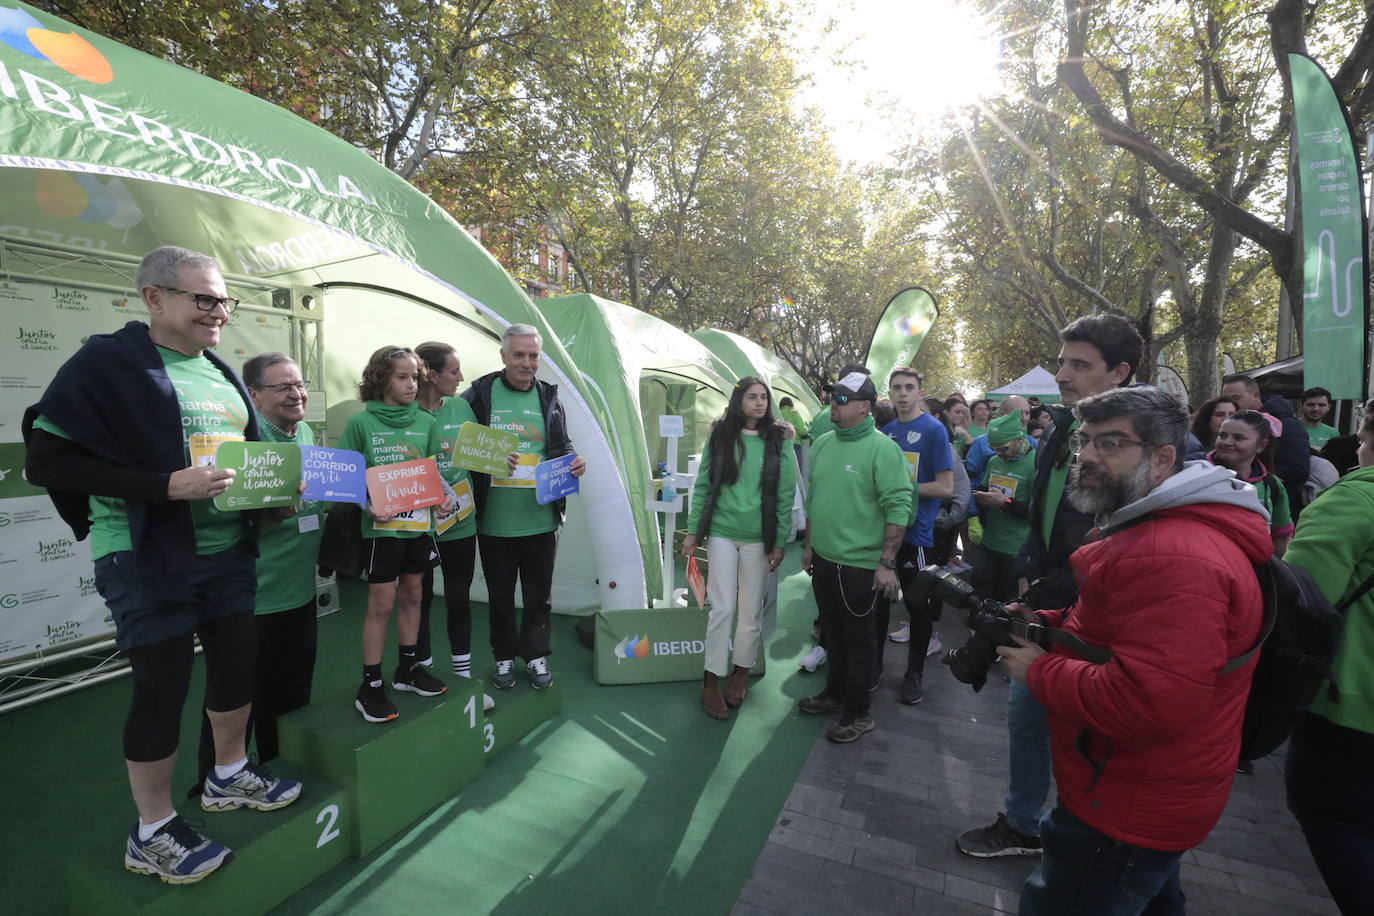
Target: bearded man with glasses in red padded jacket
[(1145, 744)]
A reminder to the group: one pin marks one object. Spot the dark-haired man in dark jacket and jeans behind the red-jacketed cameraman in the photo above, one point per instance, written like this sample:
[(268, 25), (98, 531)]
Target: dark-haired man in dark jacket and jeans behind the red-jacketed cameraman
[(1099, 354)]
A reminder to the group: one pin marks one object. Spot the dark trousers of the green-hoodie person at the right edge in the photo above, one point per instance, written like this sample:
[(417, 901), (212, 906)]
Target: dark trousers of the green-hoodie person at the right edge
[(1331, 796)]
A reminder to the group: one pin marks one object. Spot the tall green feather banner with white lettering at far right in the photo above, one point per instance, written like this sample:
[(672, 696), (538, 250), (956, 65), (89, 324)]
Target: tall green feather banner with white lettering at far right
[(1335, 236)]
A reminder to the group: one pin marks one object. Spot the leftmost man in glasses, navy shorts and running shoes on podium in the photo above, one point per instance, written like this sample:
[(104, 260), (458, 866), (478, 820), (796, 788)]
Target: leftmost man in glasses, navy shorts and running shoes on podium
[(124, 439)]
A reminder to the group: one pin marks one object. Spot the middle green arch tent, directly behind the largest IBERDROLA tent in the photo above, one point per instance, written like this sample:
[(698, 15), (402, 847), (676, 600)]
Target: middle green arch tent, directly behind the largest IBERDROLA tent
[(638, 367)]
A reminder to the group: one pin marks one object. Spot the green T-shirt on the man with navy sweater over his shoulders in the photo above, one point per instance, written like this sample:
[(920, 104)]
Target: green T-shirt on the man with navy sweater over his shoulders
[(212, 411)]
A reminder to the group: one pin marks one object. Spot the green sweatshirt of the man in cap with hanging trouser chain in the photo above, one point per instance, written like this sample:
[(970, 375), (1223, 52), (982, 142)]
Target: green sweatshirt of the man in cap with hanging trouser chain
[(859, 484)]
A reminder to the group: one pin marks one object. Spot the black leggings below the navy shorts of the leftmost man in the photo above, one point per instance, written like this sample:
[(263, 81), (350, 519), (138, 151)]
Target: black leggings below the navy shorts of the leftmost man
[(163, 678)]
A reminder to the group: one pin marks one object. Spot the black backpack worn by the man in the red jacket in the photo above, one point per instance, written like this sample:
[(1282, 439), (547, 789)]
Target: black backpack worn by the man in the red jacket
[(1298, 645)]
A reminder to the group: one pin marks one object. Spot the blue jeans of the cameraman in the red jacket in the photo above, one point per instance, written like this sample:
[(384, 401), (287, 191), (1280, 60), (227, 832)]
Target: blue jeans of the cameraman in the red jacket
[(1085, 871)]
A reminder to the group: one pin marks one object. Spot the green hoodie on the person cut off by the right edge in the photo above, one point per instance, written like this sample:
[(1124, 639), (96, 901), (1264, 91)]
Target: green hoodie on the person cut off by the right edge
[(1335, 543)]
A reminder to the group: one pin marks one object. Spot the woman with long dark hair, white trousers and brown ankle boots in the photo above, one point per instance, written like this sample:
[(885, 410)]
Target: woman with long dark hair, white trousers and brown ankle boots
[(743, 502)]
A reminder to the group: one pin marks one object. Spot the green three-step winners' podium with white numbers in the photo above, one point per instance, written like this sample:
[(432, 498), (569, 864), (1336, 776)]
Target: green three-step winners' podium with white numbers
[(363, 785)]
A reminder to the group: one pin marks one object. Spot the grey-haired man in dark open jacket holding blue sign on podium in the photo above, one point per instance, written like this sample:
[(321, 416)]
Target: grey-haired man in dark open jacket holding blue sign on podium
[(517, 536)]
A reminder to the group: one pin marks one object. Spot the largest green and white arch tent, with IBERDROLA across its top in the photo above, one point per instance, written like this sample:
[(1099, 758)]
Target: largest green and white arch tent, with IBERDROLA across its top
[(106, 153)]
